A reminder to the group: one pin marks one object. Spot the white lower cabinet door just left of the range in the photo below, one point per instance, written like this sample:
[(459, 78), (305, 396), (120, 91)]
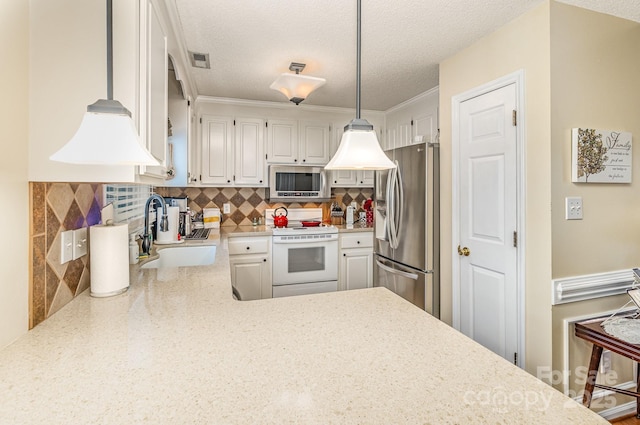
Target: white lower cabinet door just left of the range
[(251, 276)]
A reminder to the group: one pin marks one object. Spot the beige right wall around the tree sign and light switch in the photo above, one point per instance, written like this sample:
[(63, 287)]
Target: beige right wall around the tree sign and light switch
[(595, 83)]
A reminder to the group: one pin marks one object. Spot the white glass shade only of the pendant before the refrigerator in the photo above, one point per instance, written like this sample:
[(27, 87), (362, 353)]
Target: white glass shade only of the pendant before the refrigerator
[(360, 150)]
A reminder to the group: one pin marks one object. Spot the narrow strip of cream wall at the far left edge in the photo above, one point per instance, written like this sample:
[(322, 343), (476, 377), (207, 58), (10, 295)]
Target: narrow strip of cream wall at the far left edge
[(14, 189)]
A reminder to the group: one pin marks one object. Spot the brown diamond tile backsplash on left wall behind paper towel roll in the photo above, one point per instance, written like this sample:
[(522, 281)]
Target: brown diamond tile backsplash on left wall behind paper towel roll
[(56, 207)]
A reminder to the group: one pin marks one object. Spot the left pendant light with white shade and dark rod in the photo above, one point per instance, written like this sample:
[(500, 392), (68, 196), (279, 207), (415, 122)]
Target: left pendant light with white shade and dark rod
[(107, 134)]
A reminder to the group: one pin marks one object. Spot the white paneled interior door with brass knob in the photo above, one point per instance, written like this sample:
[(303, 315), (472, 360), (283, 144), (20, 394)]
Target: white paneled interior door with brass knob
[(487, 190)]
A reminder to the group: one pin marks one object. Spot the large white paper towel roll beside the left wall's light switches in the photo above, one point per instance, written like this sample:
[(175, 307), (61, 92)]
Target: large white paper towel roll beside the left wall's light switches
[(109, 247)]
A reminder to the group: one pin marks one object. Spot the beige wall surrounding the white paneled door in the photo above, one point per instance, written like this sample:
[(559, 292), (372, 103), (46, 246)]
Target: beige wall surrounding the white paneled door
[(523, 44)]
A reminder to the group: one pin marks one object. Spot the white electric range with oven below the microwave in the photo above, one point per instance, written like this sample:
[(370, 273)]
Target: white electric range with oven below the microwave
[(305, 259)]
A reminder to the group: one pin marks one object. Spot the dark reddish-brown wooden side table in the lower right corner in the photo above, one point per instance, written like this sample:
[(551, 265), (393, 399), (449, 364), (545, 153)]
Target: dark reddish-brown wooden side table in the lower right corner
[(592, 331)]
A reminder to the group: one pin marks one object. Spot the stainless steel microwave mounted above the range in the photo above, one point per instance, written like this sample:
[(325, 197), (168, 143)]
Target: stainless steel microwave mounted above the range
[(293, 183)]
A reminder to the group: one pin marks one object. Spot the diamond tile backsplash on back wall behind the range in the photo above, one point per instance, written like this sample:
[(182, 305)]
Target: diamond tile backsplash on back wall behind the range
[(248, 203)]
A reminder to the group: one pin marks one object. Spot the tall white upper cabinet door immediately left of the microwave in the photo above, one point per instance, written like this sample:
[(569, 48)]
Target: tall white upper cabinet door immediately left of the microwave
[(249, 152)]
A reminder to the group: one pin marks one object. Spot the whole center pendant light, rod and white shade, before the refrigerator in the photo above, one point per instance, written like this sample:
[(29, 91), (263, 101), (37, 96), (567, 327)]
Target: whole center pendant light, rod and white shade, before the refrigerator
[(359, 148)]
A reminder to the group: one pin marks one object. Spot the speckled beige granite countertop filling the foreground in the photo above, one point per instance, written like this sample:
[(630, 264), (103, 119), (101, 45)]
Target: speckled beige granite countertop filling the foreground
[(177, 349)]
